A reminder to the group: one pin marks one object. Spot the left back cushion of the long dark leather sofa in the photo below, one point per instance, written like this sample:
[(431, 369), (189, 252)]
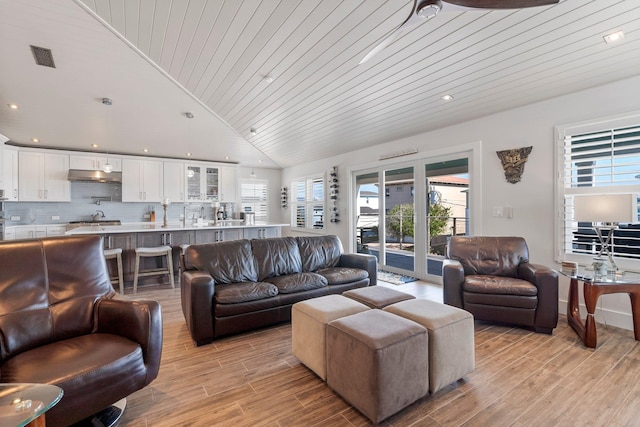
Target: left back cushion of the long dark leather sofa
[(226, 262)]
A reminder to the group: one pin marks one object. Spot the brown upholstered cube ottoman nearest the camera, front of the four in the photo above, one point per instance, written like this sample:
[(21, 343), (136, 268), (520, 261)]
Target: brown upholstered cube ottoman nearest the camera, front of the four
[(376, 362)]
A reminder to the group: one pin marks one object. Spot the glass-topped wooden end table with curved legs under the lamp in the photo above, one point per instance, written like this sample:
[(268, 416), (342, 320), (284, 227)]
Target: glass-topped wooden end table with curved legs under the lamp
[(593, 287)]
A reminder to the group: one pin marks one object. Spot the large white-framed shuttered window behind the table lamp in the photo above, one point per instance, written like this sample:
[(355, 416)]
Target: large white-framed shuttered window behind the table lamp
[(594, 160)]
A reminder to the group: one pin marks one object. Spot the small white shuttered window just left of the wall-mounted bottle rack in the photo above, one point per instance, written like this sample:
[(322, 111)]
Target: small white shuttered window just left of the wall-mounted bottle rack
[(308, 206)]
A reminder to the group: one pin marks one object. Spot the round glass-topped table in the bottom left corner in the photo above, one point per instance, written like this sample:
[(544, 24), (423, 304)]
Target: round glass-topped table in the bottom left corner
[(25, 404)]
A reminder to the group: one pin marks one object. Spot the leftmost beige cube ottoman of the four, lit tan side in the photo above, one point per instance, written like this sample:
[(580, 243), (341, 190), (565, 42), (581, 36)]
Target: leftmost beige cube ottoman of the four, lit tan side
[(309, 321)]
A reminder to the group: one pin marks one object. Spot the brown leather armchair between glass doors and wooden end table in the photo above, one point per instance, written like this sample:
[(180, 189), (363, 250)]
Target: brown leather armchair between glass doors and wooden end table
[(491, 277)]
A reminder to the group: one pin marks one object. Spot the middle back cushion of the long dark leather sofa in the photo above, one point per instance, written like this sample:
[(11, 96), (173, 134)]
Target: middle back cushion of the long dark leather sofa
[(276, 256)]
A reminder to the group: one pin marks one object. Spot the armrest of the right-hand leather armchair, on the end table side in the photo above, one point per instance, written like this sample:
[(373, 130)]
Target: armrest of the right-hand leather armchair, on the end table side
[(546, 280)]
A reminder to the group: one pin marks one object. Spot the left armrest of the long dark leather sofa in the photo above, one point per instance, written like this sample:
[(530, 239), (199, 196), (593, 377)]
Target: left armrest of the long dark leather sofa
[(197, 289)]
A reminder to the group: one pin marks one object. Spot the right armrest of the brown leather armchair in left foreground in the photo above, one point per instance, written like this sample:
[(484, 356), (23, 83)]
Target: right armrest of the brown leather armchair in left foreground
[(137, 320)]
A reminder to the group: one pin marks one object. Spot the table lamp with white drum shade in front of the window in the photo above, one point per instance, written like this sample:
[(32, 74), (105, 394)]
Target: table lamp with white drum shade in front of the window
[(605, 211)]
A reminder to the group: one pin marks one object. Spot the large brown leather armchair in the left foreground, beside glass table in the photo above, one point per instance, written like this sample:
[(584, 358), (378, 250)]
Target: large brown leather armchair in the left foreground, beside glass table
[(59, 324)]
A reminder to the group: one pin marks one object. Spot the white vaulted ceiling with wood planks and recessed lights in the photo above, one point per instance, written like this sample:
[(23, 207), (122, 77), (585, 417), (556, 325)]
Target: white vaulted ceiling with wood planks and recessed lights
[(290, 70)]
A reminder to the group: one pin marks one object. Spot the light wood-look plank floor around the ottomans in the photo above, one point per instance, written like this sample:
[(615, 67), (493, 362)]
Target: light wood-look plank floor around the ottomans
[(521, 379)]
